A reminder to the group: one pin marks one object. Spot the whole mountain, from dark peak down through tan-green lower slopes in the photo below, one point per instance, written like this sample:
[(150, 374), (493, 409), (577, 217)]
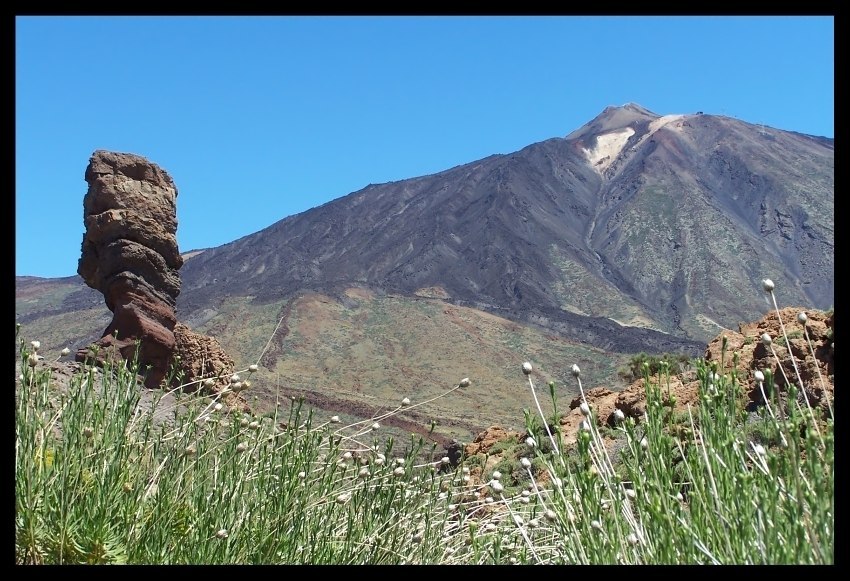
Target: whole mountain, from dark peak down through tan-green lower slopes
[(635, 232)]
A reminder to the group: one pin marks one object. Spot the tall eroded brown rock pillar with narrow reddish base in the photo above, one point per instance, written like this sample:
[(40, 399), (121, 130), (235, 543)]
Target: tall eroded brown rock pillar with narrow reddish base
[(130, 254)]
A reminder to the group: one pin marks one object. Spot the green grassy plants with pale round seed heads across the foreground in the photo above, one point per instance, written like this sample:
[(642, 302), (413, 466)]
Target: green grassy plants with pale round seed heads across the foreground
[(100, 478)]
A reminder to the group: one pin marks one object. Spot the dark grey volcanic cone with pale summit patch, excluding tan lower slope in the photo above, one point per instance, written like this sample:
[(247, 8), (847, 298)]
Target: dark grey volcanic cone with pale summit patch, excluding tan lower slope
[(656, 222)]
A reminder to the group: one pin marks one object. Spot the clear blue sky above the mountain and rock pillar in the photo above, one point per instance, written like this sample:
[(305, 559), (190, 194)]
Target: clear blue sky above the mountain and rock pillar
[(259, 118)]
